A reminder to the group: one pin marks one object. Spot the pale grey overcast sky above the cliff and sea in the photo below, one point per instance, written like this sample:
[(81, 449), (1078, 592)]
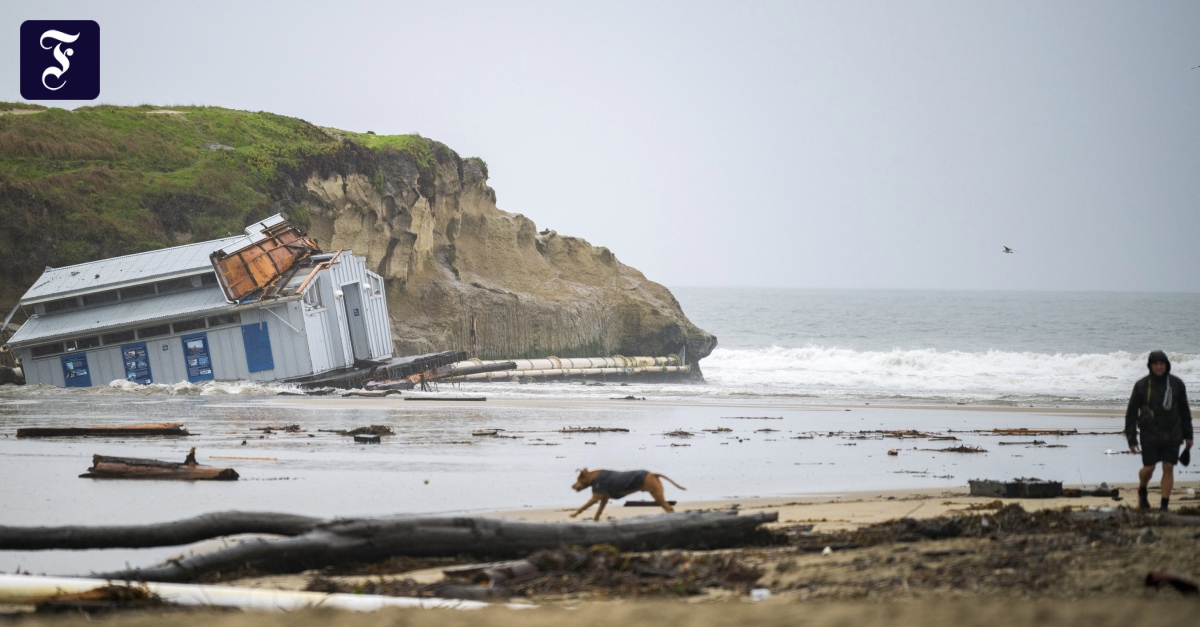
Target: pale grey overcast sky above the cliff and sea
[(796, 145)]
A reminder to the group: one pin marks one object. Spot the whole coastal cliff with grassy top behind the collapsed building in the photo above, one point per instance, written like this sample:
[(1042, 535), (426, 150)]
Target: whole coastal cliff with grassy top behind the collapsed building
[(101, 182)]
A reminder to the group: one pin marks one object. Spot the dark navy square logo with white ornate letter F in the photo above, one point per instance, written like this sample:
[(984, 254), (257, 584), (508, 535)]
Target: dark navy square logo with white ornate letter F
[(61, 59)]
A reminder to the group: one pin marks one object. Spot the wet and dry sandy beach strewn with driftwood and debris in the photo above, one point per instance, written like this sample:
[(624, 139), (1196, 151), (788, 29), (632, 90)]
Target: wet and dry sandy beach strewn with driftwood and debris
[(824, 469)]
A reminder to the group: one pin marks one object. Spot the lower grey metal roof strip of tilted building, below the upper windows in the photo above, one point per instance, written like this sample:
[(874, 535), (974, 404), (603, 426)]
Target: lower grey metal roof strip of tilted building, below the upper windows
[(196, 303)]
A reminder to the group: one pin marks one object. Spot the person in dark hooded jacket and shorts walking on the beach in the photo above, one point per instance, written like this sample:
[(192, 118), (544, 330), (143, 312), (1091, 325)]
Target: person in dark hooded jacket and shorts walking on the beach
[(1159, 413)]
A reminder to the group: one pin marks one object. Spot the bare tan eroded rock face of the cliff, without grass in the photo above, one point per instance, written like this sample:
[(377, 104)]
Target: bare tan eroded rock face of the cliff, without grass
[(451, 258)]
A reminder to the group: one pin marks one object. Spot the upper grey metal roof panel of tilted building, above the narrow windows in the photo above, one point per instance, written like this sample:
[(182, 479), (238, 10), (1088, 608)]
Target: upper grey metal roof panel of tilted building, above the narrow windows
[(142, 267)]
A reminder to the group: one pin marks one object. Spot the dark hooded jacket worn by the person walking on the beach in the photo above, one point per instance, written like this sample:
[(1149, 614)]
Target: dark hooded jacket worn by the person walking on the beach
[(1159, 423)]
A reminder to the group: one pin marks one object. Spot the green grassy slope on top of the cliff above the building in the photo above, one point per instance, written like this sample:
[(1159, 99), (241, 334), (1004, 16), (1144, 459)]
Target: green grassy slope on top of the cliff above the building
[(101, 182)]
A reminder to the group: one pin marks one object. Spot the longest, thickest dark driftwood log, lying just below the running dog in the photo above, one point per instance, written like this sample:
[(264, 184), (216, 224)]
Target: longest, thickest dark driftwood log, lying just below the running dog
[(357, 541)]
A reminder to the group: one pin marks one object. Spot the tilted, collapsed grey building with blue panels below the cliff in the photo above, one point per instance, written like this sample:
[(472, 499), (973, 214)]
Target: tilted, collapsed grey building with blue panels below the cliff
[(268, 306)]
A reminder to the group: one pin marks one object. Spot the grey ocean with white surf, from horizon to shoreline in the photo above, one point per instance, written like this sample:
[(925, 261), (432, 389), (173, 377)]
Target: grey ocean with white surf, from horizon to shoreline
[(1009, 349)]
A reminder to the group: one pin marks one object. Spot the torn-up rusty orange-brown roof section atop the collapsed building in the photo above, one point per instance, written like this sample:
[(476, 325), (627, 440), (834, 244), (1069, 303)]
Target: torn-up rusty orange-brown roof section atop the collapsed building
[(253, 271)]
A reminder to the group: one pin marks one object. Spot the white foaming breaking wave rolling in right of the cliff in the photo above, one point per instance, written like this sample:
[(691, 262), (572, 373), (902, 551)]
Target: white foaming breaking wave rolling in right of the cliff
[(937, 375)]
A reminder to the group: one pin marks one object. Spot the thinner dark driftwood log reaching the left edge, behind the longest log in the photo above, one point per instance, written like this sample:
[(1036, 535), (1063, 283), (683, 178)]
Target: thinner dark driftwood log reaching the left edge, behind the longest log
[(160, 535)]
